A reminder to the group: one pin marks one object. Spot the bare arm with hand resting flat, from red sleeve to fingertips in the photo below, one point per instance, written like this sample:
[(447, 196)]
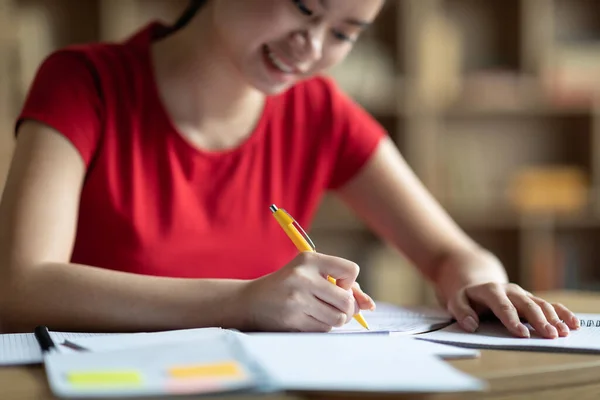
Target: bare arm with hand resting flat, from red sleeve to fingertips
[(468, 279)]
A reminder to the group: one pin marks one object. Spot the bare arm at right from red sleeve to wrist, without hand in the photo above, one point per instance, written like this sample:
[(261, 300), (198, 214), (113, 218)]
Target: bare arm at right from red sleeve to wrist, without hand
[(394, 202)]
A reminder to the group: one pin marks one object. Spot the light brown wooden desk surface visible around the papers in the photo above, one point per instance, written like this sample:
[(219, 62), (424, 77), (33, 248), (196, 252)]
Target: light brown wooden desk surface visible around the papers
[(510, 374)]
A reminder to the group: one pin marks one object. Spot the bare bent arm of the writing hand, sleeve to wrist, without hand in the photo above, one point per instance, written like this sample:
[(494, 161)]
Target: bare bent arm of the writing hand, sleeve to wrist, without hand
[(38, 215)]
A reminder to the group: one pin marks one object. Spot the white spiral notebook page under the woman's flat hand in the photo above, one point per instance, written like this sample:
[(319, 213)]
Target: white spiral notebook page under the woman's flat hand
[(495, 335)]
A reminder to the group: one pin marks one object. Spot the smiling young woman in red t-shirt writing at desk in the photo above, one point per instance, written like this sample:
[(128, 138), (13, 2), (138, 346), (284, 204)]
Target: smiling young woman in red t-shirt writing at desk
[(139, 192)]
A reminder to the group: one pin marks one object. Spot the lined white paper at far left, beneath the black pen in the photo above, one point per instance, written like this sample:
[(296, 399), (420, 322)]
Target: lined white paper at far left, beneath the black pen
[(23, 348)]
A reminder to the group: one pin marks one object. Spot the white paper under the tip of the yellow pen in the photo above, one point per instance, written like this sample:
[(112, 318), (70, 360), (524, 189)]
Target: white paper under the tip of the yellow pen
[(391, 319)]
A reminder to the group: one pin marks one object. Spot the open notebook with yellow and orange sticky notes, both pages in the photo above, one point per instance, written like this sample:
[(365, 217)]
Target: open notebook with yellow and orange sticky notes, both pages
[(220, 361)]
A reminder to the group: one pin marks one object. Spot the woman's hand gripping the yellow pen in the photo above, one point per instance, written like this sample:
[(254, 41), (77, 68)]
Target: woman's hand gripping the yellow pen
[(298, 297)]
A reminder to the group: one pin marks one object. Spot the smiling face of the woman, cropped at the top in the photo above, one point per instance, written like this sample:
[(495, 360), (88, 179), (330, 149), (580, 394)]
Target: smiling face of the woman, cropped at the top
[(275, 43)]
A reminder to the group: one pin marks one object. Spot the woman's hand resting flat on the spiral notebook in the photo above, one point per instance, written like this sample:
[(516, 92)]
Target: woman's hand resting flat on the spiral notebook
[(510, 303)]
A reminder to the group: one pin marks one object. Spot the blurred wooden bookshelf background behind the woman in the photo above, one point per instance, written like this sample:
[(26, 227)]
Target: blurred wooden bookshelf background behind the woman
[(493, 104)]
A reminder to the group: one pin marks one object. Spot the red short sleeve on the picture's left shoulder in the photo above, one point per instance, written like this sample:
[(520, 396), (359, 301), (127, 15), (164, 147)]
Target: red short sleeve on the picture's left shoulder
[(65, 95)]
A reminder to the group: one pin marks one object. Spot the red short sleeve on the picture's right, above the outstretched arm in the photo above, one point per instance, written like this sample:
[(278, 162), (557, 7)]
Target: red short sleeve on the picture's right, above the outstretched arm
[(356, 137)]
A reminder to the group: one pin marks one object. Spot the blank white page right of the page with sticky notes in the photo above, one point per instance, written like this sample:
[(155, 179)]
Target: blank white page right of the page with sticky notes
[(365, 363)]
